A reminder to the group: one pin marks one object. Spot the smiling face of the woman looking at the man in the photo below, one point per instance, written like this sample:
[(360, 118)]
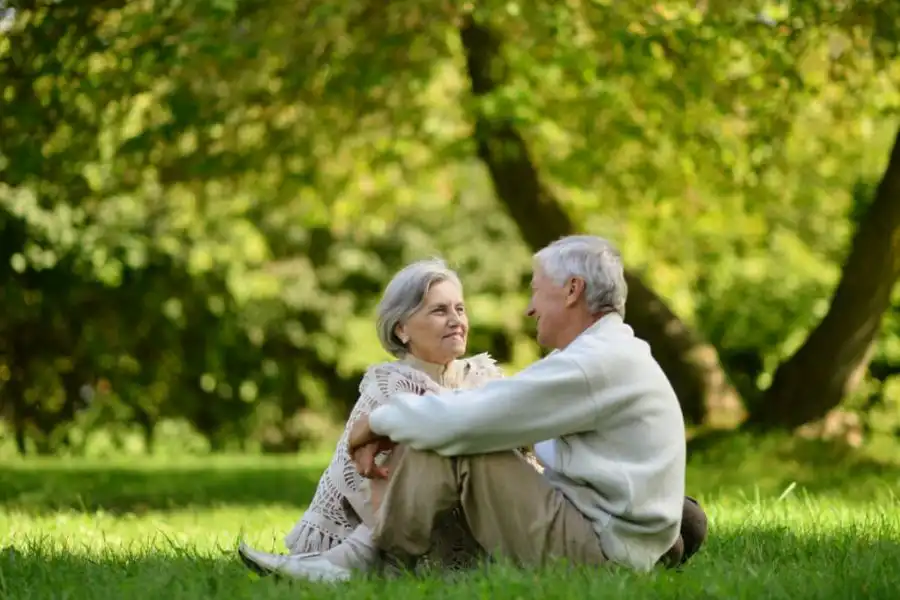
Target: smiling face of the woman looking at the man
[(438, 331)]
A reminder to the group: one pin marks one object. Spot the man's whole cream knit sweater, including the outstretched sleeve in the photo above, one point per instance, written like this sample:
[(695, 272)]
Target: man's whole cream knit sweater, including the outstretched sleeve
[(617, 431)]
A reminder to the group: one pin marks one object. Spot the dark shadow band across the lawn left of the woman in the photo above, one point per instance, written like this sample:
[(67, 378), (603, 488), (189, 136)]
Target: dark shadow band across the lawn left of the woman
[(121, 489)]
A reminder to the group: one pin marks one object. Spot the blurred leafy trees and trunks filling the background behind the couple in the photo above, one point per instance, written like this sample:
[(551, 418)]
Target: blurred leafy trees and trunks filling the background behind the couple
[(200, 202)]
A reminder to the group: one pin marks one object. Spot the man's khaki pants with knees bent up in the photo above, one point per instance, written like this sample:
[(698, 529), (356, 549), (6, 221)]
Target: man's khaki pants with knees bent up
[(511, 510)]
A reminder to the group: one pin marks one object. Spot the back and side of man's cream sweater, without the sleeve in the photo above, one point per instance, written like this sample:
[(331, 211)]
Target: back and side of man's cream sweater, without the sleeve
[(627, 472)]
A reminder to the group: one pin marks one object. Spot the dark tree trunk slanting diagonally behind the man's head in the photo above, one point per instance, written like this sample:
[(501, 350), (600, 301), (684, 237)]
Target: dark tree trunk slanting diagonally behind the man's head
[(692, 366)]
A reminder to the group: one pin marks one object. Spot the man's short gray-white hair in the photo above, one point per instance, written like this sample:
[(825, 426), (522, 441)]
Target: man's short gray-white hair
[(593, 259)]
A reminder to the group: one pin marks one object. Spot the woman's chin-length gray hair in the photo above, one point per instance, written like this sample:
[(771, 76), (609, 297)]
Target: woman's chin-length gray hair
[(404, 295)]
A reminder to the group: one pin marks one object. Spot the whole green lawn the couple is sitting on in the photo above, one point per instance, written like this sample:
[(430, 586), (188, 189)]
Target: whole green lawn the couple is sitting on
[(787, 521)]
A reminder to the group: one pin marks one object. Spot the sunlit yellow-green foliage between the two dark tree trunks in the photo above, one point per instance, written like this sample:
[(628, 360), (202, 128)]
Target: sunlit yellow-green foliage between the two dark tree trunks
[(719, 152)]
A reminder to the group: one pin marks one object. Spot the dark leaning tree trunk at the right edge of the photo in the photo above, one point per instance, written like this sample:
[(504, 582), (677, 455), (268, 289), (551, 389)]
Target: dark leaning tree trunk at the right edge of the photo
[(831, 360)]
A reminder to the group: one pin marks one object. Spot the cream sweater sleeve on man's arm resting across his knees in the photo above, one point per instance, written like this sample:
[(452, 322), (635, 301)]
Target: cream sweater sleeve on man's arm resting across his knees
[(548, 399)]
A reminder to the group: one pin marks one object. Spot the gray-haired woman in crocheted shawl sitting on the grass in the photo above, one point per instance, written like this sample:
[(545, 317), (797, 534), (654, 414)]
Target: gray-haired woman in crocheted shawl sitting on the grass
[(422, 321)]
